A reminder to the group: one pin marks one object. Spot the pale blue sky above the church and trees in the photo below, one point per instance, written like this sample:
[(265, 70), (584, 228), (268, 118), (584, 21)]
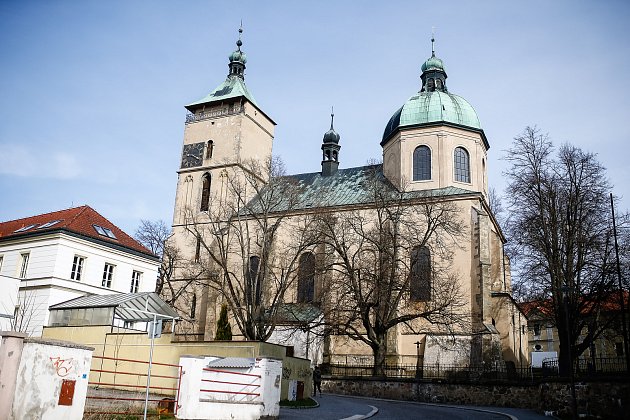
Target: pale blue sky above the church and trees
[(92, 93)]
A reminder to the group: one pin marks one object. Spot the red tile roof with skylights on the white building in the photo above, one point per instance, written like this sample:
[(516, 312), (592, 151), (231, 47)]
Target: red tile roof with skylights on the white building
[(79, 220)]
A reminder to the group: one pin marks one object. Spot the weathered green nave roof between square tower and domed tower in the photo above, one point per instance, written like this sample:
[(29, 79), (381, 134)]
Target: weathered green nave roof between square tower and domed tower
[(347, 187)]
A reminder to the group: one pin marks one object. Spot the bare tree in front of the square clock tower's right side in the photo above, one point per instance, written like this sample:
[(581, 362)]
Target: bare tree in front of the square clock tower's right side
[(250, 243)]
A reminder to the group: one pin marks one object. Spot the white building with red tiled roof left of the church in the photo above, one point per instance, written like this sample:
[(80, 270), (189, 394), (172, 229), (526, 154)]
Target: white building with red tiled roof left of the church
[(62, 255)]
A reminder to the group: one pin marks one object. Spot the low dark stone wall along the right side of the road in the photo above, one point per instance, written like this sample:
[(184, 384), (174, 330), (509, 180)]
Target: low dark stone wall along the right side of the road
[(610, 399)]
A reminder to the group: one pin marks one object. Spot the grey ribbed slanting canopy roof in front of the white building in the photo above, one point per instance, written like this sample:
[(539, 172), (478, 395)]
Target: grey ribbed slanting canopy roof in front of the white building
[(132, 307)]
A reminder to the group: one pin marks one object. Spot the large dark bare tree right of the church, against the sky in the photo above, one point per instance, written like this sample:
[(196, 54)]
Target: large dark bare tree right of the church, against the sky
[(561, 227)]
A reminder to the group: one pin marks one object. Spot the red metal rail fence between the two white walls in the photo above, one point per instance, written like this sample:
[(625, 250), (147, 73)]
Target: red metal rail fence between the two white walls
[(120, 386)]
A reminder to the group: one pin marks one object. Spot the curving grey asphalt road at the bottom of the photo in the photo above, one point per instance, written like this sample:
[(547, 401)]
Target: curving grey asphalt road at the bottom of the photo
[(337, 407)]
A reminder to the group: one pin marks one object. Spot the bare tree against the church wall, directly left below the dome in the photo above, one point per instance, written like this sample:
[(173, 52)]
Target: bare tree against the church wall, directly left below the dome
[(390, 265)]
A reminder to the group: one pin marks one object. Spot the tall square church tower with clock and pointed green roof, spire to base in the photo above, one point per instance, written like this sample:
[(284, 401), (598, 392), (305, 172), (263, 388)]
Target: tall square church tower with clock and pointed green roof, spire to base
[(224, 131)]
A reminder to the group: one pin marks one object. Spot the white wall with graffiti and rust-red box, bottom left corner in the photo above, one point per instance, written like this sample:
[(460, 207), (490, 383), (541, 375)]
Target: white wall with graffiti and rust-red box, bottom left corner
[(42, 379)]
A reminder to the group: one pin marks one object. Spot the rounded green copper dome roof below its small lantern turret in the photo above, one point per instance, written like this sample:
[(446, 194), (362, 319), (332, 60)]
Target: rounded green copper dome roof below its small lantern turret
[(433, 107)]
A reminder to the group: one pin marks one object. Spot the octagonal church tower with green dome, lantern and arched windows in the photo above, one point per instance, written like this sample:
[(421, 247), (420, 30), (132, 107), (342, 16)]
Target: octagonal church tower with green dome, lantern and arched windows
[(435, 139)]
